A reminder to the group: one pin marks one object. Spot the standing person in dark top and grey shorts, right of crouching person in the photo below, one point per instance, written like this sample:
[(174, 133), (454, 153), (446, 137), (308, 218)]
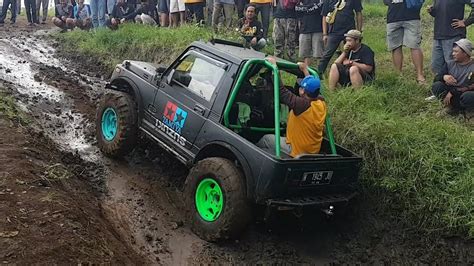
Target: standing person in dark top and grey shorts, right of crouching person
[(311, 37)]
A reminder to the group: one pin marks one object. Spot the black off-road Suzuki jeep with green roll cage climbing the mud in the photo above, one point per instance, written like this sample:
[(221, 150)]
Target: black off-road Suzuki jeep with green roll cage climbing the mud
[(208, 109)]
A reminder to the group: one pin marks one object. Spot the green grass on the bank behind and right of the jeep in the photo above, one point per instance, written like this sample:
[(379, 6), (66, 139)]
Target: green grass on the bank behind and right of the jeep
[(418, 165)]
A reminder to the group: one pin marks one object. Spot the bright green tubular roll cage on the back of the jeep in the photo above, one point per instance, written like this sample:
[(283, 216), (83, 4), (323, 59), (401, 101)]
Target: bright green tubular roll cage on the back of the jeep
[(276, 93)]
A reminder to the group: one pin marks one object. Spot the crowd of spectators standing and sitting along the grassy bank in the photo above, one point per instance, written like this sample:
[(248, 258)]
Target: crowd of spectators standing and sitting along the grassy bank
[(313, 30)]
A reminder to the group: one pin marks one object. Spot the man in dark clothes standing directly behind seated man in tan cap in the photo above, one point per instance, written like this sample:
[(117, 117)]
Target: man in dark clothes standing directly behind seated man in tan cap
[(338, 18)]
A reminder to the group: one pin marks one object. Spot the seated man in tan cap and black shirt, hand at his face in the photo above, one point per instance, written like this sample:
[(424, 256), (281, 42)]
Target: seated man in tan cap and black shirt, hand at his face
[(356, 64)]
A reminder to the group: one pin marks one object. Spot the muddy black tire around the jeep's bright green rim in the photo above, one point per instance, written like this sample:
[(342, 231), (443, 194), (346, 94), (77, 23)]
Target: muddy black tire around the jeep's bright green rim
[(236, 213)]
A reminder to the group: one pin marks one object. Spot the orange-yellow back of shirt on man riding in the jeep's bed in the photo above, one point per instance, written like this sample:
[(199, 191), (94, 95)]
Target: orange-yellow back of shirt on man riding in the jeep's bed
[(305, 131)]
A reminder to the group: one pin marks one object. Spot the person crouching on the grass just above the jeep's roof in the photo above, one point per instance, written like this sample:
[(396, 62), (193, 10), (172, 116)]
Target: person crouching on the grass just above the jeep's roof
[(251, 29)]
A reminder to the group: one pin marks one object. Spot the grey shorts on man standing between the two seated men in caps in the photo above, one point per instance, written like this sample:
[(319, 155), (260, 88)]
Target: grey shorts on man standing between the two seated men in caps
[(407, 33)]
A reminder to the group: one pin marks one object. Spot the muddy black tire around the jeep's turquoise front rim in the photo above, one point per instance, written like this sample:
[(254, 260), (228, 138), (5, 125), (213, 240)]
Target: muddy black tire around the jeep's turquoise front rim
[(126, 136)]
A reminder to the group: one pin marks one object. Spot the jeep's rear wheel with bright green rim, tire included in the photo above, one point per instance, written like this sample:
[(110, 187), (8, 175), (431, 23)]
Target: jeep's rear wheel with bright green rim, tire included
[(216, 200)]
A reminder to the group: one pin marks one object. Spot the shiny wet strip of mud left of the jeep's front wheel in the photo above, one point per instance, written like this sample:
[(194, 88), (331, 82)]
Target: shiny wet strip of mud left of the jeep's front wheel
[(19, 61)]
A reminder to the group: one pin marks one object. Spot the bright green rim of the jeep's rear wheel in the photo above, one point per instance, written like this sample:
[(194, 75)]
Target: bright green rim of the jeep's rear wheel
[(209, 200)]
